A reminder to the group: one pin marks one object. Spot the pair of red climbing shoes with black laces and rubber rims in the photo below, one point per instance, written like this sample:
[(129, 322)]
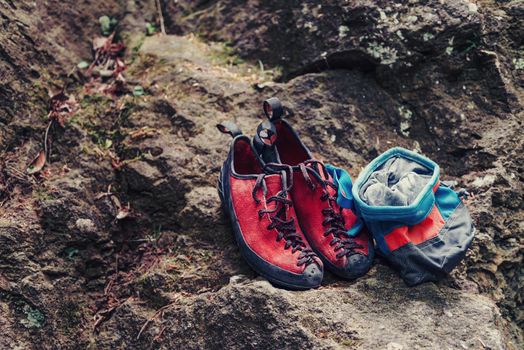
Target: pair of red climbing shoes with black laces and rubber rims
[(287, 208)]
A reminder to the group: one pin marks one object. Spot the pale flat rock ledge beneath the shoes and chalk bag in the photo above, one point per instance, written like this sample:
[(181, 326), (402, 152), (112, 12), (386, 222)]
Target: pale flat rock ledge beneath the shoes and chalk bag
[(377, 312)]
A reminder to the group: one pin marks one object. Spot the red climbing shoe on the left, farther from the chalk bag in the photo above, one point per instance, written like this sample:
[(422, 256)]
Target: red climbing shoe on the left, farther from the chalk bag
[(263, 219)]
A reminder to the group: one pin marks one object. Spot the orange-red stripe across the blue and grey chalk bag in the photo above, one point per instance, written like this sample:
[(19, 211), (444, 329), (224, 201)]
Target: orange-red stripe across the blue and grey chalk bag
[(419, 233)]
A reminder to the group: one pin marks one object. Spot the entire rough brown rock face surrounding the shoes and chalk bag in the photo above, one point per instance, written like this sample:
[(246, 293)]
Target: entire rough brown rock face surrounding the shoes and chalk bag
[(358, 78)]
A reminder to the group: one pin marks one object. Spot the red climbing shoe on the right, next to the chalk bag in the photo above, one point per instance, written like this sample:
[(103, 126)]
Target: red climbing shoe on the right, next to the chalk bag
[(325, 224)]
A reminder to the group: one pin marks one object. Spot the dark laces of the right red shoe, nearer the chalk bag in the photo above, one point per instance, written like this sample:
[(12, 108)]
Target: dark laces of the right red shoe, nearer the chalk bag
[(345, 245)]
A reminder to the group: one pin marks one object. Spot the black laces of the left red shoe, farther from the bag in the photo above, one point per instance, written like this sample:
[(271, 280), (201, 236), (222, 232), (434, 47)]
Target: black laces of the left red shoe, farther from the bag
[(285, 227)]
